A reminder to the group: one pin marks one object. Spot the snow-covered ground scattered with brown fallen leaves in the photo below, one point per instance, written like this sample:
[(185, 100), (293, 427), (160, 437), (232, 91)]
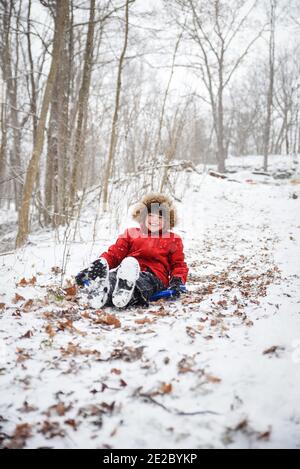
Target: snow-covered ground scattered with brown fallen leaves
[(218, 369)]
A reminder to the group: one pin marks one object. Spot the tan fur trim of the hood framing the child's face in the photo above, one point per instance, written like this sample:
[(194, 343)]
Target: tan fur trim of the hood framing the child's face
[(165, 203)]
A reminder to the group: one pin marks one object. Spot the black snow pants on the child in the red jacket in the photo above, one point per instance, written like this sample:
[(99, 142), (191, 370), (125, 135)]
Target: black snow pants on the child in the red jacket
[(146, 285)]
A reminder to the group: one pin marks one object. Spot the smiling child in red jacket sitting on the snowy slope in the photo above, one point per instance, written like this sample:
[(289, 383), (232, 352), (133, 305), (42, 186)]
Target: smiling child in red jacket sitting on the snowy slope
[(149, 258)]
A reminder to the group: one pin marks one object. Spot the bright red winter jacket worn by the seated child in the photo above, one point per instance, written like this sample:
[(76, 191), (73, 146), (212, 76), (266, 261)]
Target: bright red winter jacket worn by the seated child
[(163, 254)]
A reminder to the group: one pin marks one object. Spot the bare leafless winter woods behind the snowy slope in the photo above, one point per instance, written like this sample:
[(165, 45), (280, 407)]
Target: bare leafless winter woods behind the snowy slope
[(88, 95)]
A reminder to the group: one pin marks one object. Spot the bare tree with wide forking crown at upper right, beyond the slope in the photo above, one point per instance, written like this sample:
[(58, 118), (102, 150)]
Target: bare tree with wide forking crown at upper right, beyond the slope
[(214, 27)]
